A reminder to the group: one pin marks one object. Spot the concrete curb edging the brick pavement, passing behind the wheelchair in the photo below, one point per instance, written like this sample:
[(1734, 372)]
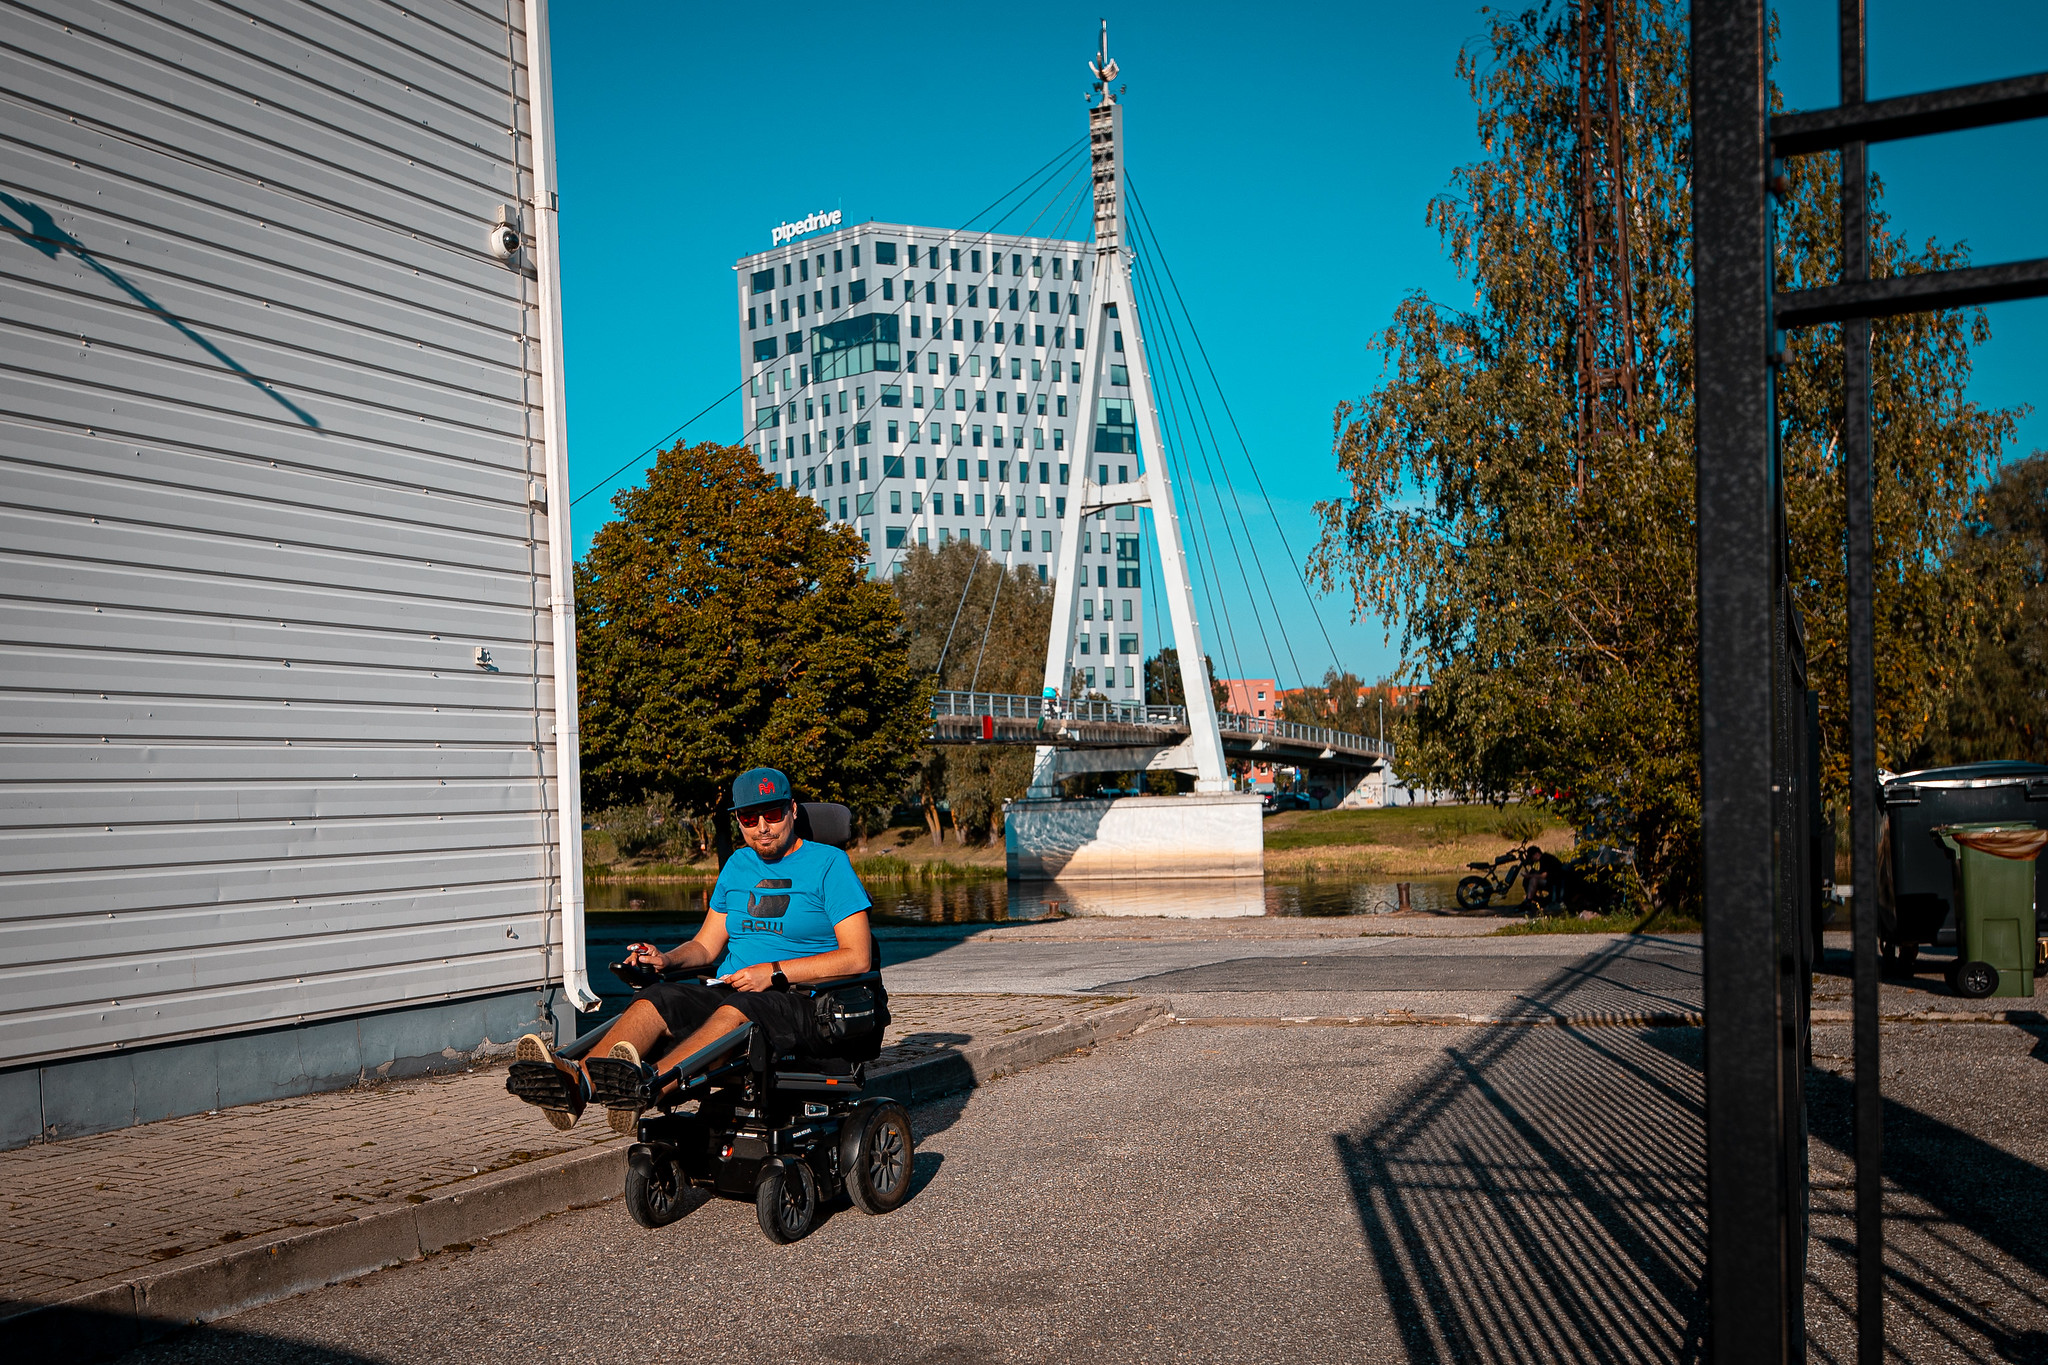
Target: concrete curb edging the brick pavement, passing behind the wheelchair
[(118, 1315)]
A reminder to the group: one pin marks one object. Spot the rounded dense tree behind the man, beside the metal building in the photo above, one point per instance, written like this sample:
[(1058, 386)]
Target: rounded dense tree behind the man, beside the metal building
[(724, 625)]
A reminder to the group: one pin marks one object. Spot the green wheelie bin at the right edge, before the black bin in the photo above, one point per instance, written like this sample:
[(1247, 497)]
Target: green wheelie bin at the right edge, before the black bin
[(1996, 908)]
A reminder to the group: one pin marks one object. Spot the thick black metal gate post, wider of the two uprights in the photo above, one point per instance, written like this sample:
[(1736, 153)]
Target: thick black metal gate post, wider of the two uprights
[(1738, 564)]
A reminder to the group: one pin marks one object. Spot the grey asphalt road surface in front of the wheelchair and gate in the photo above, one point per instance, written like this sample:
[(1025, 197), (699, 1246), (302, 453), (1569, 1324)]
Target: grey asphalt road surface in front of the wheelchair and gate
[(1265, 1192)]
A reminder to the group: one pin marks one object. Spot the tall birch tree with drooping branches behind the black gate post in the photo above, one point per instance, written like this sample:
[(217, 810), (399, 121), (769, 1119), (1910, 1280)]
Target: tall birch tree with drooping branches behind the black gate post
[(1545, 578)]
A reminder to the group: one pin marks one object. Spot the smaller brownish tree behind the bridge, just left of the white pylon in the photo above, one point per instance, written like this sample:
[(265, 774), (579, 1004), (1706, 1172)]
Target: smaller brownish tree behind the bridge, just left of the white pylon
[(974, 627)]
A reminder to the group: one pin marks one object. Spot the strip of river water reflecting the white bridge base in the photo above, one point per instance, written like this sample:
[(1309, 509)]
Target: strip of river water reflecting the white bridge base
[(914, 904)]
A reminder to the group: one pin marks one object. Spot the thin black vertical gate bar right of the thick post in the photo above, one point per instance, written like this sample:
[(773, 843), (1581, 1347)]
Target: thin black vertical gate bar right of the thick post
[(1863, 719)]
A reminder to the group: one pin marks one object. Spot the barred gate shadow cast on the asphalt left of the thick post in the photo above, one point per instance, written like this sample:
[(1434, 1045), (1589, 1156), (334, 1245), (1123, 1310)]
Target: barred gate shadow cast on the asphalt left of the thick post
[(1539, 1194)]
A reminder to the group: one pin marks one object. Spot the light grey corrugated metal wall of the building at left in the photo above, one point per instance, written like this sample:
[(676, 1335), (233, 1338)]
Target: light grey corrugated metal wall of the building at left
[(269, 480)]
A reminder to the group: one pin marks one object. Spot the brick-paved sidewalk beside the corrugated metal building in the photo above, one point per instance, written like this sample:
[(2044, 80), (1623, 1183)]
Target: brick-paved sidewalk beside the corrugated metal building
[(173, 1192)]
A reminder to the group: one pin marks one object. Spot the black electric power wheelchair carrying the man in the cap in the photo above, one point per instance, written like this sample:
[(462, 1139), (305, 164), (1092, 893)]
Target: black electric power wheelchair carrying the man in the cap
[(787, 1133)]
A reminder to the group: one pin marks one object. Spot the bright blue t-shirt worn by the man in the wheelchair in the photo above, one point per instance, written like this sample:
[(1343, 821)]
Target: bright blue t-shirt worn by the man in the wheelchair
[(785, 910)]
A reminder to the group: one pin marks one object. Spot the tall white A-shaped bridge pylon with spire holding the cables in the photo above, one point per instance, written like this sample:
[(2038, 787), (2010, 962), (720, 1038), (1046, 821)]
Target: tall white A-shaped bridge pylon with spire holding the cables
[(1121, 341)]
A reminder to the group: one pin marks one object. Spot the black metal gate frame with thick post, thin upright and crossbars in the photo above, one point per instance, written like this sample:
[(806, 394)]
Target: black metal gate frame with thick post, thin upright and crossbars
[(1756, 783)]
